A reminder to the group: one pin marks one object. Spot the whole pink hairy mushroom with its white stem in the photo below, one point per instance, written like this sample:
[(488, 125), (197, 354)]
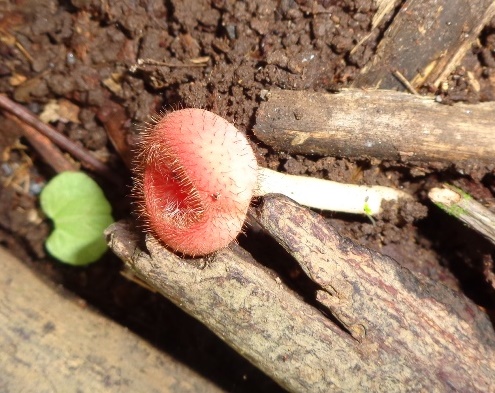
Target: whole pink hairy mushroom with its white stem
[(198, 175)]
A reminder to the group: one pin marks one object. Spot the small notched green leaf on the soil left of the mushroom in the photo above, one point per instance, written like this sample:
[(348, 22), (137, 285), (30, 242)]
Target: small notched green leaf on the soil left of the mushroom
[(80, 212)]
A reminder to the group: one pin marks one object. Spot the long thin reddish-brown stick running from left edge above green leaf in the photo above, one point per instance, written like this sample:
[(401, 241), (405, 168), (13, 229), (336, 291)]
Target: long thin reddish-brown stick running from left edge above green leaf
[(60, 140)]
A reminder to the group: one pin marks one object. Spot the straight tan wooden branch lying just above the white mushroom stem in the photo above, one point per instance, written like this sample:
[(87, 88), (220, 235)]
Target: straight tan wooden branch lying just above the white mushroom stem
[(378, 123)]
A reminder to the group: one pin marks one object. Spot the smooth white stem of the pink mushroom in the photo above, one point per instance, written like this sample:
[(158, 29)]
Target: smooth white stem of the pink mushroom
[(326, 194)]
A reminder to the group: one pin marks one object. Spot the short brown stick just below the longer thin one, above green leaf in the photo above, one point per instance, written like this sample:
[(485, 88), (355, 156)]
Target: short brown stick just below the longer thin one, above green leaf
[(44, 146)]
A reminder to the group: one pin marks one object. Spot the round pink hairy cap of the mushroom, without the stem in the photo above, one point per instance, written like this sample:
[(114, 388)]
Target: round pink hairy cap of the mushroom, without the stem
[(197, 177)]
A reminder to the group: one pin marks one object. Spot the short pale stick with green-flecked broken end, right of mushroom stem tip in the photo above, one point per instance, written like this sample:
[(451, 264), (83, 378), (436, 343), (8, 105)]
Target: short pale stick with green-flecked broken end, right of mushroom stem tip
[(462, 206)]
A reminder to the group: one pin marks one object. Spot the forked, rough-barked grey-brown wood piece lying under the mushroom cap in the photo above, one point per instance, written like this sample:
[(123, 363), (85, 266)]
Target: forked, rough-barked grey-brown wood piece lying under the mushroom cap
[(409, 333)]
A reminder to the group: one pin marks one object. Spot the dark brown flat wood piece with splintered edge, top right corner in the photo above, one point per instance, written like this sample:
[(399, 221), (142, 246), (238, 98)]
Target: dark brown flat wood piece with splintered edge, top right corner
[(425, 42)]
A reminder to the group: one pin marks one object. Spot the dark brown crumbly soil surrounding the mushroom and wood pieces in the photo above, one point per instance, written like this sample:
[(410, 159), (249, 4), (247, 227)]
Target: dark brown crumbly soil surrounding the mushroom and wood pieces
[(219, 55)]
